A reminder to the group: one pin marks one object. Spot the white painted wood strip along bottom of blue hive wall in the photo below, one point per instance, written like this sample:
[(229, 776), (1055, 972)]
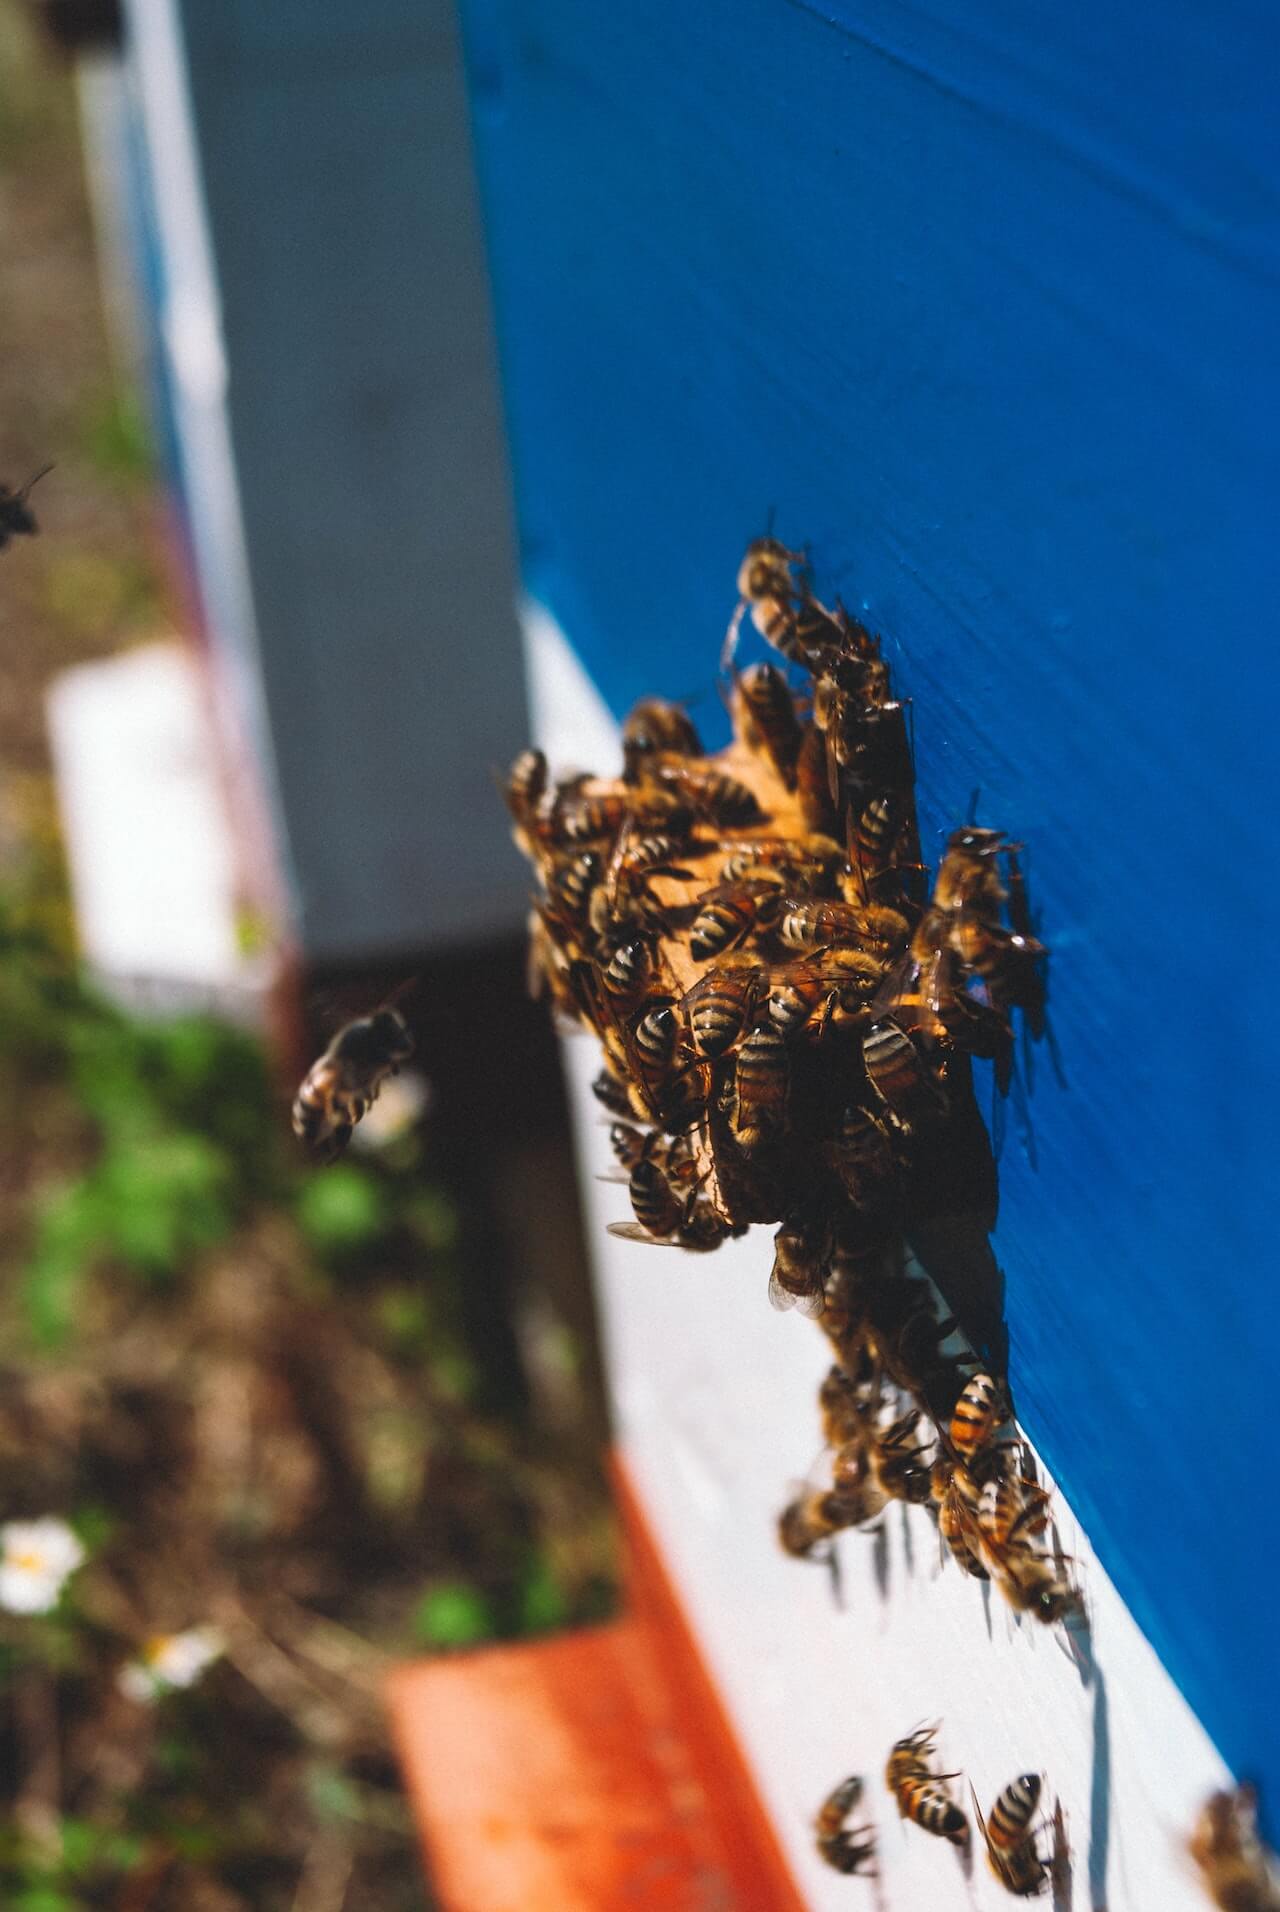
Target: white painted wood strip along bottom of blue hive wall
[(717, 1410)]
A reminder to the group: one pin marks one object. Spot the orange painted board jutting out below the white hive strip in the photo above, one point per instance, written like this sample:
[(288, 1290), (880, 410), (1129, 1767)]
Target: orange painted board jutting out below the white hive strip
[(588, 1773)]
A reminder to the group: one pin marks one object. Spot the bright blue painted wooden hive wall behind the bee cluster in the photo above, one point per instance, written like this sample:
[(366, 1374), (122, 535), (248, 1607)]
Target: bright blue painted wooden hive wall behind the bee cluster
[(984, 305)]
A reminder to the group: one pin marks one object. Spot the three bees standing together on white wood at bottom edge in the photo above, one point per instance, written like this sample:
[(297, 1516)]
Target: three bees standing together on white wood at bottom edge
[(923, 1798)]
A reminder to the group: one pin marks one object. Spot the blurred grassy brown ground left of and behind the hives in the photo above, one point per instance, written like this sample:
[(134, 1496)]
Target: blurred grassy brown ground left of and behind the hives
[(246, 1383)]
